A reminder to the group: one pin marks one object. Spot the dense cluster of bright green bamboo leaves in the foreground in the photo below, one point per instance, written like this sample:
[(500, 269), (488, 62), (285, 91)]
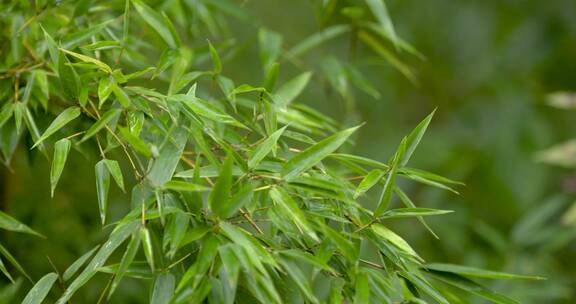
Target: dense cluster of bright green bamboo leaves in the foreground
[(238, 193)]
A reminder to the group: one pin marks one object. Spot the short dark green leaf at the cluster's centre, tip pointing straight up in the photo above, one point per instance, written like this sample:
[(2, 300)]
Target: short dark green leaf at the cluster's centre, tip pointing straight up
[(220, 195)]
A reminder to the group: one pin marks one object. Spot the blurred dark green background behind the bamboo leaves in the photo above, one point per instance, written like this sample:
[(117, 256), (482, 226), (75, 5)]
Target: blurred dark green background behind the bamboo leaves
[(488, 67)]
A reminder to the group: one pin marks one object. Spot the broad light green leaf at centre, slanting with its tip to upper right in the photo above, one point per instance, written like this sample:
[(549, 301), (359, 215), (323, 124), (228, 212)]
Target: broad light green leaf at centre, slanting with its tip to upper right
[(314, 154)]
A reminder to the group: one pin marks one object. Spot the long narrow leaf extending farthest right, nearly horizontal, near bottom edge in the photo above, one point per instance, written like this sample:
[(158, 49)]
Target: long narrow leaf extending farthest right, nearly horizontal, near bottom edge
[(479, 273)]
